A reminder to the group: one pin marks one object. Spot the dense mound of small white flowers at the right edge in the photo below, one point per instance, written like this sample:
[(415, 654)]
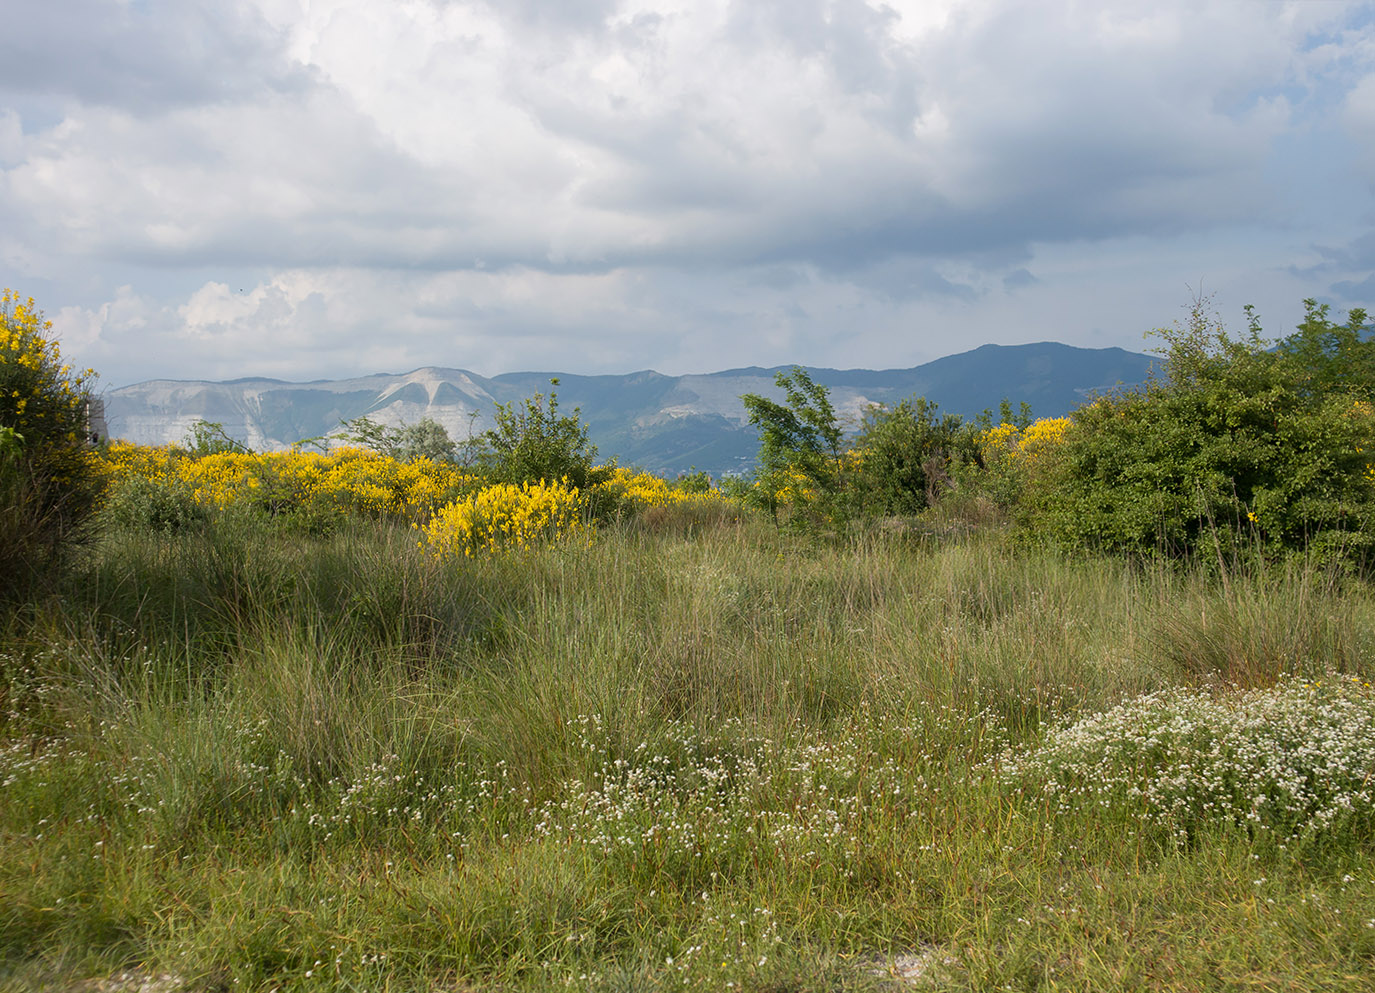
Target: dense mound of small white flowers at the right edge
[(1296, 761)]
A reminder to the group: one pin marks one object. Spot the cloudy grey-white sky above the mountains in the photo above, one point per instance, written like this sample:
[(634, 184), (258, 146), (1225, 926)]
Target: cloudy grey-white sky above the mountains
[(325, 189)]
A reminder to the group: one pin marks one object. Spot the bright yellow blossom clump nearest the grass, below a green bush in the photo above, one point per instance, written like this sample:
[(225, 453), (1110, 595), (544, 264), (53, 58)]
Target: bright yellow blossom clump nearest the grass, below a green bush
[(508, 518)]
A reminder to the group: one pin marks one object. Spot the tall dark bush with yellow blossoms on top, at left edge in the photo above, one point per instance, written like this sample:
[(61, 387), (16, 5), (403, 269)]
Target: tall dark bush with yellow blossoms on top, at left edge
[(49, 481)]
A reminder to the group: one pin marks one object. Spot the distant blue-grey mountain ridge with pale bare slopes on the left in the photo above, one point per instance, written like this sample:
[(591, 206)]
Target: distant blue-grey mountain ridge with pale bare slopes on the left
[(666, 424)]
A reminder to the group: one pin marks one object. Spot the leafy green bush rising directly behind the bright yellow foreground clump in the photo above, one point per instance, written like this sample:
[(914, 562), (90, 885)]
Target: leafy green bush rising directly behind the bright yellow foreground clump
[(534, 442)]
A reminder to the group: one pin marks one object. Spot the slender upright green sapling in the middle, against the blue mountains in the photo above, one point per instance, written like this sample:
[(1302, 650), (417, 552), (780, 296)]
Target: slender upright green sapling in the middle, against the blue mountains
[(800, 439)]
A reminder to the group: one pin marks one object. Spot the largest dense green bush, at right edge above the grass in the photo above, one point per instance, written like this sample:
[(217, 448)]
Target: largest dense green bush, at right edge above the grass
[(1241, 448)]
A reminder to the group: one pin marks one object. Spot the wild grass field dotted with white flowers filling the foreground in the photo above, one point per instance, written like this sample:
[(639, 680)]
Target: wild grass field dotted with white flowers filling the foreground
[(723, 759)]
